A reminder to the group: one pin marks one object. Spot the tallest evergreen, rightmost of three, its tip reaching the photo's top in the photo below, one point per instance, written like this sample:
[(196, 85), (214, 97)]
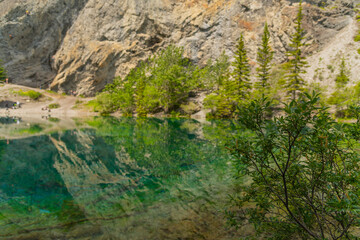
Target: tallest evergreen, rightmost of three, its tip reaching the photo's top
[(295, 83)]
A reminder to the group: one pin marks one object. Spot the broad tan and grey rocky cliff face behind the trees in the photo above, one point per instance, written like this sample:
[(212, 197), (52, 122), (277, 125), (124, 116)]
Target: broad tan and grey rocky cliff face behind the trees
[(81, 45)]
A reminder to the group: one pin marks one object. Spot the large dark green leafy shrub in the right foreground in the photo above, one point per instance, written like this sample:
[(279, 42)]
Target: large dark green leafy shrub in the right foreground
[(304, 172)]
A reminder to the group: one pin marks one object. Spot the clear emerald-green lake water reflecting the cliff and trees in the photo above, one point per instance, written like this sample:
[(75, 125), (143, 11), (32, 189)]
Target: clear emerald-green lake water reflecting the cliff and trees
[(115, 178)]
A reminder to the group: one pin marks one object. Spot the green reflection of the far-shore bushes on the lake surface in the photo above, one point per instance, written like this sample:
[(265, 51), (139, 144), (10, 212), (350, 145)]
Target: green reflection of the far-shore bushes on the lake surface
[(160, 147)]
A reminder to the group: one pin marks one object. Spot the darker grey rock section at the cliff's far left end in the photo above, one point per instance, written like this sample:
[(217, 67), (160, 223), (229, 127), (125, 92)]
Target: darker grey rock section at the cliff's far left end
[(28, 41)]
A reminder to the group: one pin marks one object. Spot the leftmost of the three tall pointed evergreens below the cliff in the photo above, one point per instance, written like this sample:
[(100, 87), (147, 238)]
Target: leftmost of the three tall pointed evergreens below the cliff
[(240, 85)]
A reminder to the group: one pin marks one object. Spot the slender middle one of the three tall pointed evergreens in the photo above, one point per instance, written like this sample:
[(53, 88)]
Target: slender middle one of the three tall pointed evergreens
[(264, 58)]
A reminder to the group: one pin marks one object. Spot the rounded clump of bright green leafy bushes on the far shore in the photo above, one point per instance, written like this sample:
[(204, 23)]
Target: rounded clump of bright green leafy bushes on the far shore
[(162, 83)]
